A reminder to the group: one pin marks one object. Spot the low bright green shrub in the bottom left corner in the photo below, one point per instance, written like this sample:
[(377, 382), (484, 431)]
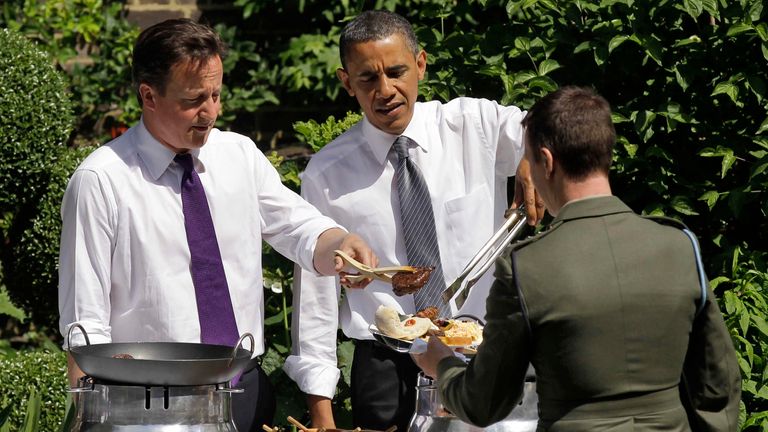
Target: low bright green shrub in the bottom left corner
[(27, 373)]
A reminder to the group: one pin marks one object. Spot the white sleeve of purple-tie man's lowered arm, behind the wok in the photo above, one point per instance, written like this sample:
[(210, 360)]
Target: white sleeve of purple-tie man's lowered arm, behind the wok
[(85, 259)]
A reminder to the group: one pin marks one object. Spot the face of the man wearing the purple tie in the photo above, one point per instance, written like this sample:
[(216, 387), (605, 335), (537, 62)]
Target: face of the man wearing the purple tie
[(182, 118)]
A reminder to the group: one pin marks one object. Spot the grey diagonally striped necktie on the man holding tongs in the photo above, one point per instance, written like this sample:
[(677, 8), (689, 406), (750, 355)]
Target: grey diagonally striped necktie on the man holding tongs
[(418, 222)]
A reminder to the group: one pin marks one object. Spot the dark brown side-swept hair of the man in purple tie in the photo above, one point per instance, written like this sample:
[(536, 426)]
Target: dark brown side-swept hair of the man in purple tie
[(167, 43)]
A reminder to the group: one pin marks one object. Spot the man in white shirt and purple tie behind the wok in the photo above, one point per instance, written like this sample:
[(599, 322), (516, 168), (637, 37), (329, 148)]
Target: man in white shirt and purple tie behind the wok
[(130, 245)]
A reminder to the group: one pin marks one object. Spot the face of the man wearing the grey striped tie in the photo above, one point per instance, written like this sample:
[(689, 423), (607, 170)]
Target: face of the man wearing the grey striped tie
[(383, 76)]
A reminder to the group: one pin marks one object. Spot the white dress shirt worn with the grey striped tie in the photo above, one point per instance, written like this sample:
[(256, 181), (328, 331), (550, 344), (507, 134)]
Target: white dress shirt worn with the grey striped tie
[(466, 151)]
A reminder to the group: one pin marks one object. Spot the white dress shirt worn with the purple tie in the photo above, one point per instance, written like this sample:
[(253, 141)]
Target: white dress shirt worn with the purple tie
[(124, 260)]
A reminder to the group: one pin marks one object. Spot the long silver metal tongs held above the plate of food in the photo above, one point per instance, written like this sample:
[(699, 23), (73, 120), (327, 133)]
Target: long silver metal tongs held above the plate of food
[(456, 294)]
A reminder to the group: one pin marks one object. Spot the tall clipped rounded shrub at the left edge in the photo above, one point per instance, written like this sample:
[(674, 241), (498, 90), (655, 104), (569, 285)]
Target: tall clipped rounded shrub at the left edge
[(36, 122)]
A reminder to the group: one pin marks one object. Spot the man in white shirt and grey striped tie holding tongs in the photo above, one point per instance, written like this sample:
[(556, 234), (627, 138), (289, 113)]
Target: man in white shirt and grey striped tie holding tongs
[(465, 150)]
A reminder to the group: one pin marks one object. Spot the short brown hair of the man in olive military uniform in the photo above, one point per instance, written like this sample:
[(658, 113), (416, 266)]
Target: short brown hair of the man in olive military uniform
[(575, 124)]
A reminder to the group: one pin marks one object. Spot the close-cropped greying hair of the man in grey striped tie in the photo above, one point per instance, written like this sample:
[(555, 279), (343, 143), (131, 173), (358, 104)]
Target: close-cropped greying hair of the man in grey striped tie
[(375, 25)]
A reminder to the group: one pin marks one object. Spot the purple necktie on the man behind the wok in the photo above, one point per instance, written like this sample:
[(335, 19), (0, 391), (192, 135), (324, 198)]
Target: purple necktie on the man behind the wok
[(214, 306)]
